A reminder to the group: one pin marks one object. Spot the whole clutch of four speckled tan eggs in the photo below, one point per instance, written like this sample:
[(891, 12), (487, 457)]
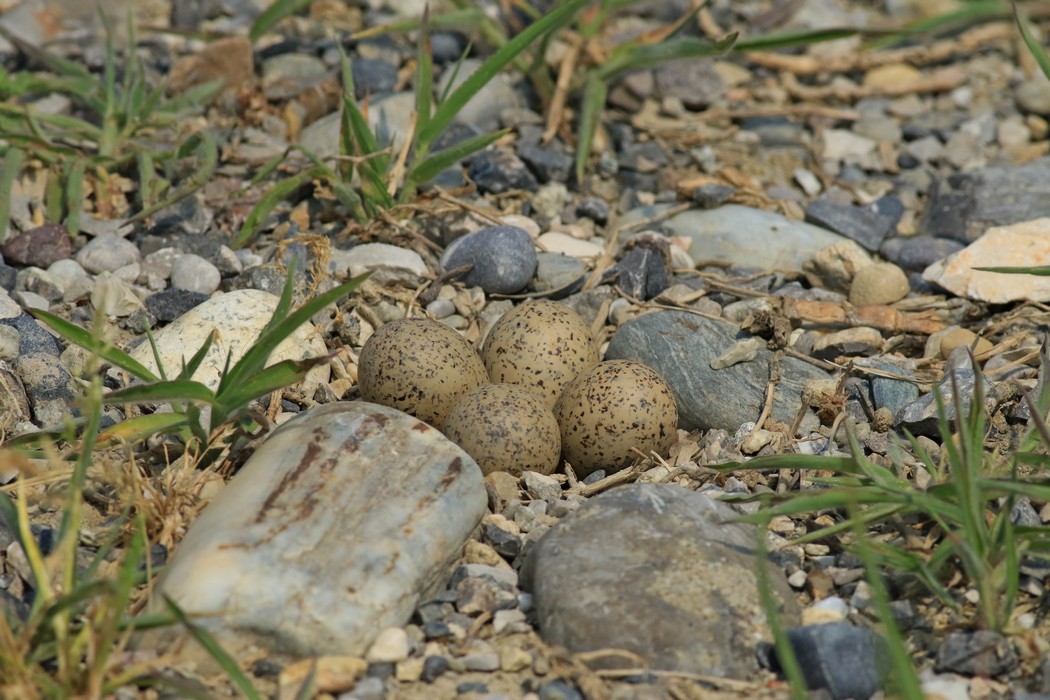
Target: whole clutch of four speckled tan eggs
[(537, 394)]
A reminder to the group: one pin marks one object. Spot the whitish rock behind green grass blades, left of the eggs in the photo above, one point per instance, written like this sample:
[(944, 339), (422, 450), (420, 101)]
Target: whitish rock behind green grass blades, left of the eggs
[(240, 317)]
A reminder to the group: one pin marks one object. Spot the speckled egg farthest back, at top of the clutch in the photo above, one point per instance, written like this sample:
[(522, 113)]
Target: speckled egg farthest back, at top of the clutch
[(541, 346)]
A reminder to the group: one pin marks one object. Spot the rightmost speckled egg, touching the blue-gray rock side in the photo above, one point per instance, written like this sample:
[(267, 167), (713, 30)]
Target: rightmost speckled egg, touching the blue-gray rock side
[(611, 409)]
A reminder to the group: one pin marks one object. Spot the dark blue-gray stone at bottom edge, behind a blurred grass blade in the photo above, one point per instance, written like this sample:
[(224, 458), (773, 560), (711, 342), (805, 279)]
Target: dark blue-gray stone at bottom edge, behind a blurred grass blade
[(846, 661)]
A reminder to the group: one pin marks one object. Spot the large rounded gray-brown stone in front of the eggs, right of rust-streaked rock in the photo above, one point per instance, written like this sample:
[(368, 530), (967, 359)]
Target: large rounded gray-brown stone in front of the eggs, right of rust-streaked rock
[(660, 571)]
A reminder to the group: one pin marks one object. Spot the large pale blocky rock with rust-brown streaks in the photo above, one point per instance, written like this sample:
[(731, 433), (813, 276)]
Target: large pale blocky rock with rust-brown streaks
[(340, 524)]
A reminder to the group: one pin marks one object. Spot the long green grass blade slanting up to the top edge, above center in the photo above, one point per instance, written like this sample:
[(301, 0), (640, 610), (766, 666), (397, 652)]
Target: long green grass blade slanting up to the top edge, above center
[(451, 108)]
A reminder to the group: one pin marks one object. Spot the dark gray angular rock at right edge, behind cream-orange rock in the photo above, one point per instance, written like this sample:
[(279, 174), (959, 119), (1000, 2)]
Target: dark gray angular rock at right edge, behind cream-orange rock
[(965, 205)]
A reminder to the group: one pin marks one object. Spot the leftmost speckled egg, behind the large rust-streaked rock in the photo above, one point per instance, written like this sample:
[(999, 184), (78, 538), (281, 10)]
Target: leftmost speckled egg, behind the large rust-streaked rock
[(419, 367)]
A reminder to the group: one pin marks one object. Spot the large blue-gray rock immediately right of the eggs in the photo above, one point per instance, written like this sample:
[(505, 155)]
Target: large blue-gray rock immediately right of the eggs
[(680, 347)]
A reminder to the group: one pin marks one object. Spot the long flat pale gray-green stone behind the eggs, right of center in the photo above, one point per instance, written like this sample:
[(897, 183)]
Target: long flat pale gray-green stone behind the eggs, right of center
[(748, 238)]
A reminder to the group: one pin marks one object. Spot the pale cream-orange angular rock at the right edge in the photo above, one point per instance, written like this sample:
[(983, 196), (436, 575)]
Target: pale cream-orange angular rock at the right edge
[(1026, 244)]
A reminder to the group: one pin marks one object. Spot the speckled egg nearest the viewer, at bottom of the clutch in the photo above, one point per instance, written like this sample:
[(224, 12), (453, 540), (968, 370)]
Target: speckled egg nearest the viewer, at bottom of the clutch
[(506, 428)]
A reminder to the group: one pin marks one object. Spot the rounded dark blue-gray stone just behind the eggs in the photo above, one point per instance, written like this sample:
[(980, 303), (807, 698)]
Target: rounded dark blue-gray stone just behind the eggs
[(503, 258)]
